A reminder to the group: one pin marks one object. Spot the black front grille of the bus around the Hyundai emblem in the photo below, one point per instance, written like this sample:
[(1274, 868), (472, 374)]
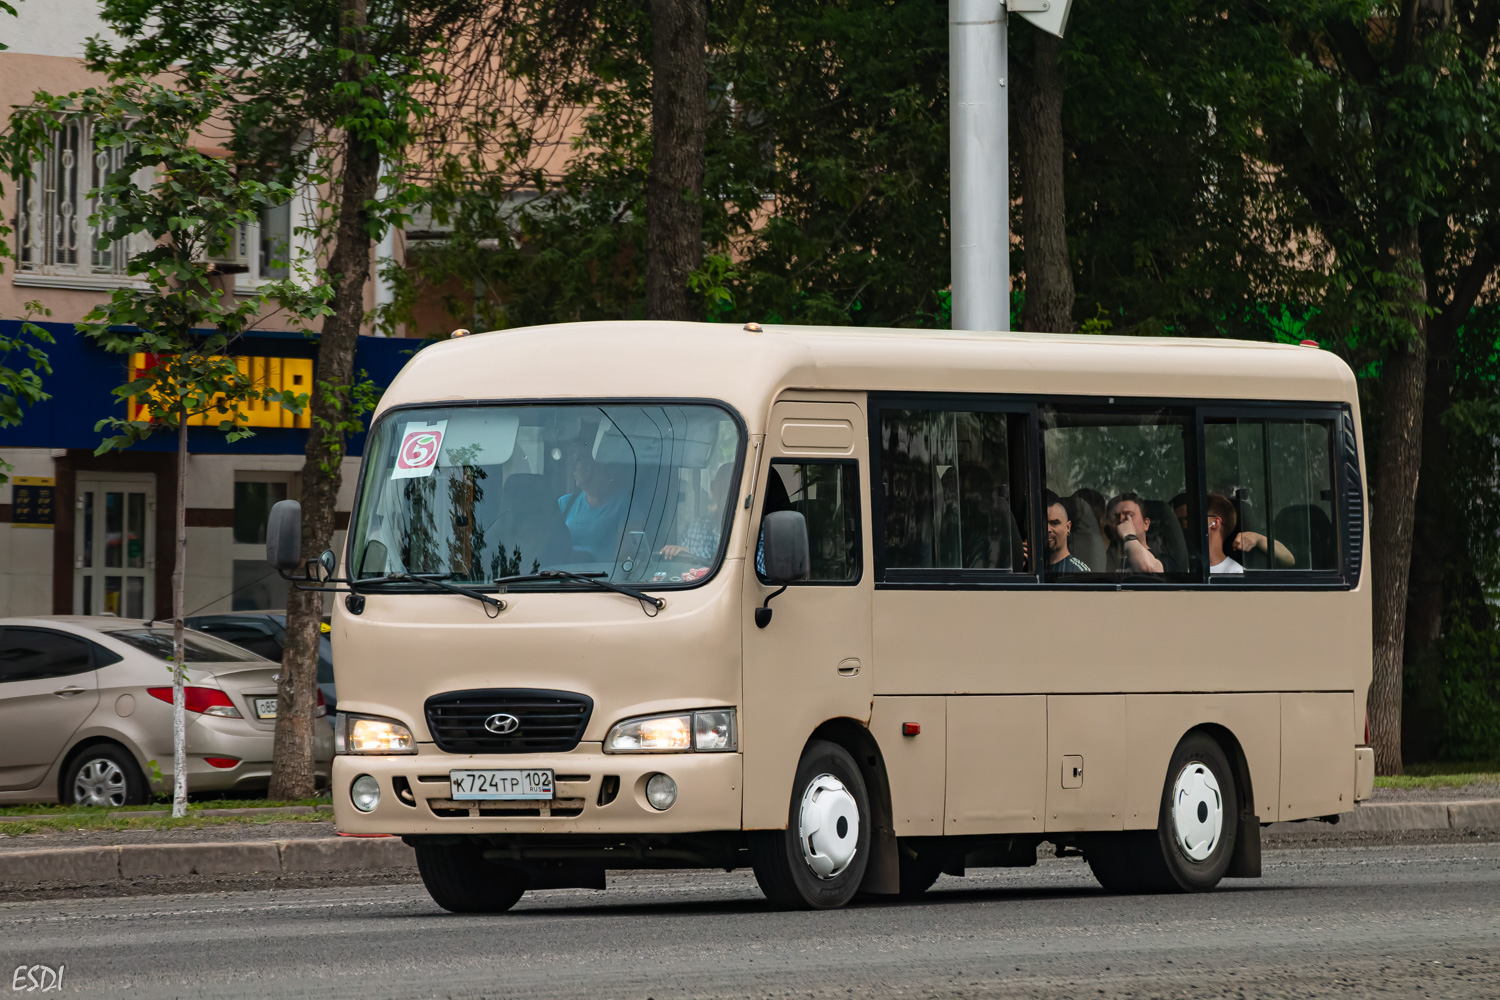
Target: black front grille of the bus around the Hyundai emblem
[(551, 722)]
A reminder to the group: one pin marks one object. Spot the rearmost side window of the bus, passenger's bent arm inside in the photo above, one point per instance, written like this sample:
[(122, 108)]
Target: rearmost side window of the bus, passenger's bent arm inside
[(1273, 484)]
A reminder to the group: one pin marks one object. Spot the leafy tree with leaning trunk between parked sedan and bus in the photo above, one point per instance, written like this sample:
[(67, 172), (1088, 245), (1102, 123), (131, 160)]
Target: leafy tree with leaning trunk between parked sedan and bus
[(323, 94)]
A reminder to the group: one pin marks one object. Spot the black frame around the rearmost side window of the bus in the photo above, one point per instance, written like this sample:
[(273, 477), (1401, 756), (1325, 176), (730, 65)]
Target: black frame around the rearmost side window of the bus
[(1288, 579)]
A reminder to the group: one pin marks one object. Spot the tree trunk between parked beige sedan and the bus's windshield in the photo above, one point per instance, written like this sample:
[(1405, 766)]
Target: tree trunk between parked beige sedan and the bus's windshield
[(293, 774)]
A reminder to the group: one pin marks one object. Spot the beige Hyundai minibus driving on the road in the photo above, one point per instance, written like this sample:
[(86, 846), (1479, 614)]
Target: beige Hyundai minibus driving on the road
[(850, 608)]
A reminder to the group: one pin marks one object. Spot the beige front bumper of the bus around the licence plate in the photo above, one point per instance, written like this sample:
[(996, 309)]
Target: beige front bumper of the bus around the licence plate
[(709, 794)]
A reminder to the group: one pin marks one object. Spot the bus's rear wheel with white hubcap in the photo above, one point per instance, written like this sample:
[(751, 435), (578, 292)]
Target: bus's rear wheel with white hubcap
[(1172, 860)]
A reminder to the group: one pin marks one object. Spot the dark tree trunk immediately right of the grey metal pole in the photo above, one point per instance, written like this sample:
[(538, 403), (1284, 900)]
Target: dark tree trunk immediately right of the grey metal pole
[(1045, 239)]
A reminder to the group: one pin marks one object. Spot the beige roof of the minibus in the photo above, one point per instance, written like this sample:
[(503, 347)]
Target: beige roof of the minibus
[(749, 368)]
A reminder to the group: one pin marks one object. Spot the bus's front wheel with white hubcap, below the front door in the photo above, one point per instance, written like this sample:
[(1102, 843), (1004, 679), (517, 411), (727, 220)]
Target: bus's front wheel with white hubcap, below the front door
[(781, 863)]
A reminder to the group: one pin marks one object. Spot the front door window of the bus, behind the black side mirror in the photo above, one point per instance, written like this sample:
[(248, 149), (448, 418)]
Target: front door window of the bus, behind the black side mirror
[(827, 494)]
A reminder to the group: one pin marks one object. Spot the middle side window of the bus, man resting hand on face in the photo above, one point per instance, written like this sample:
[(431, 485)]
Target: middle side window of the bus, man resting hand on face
[(1117, 494)]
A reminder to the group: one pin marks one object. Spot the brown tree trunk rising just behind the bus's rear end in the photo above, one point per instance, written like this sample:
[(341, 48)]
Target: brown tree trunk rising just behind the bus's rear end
[(1394, 507)]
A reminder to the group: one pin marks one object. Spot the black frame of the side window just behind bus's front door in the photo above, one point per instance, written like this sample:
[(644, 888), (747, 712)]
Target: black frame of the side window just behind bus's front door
[(1028, 443)]
